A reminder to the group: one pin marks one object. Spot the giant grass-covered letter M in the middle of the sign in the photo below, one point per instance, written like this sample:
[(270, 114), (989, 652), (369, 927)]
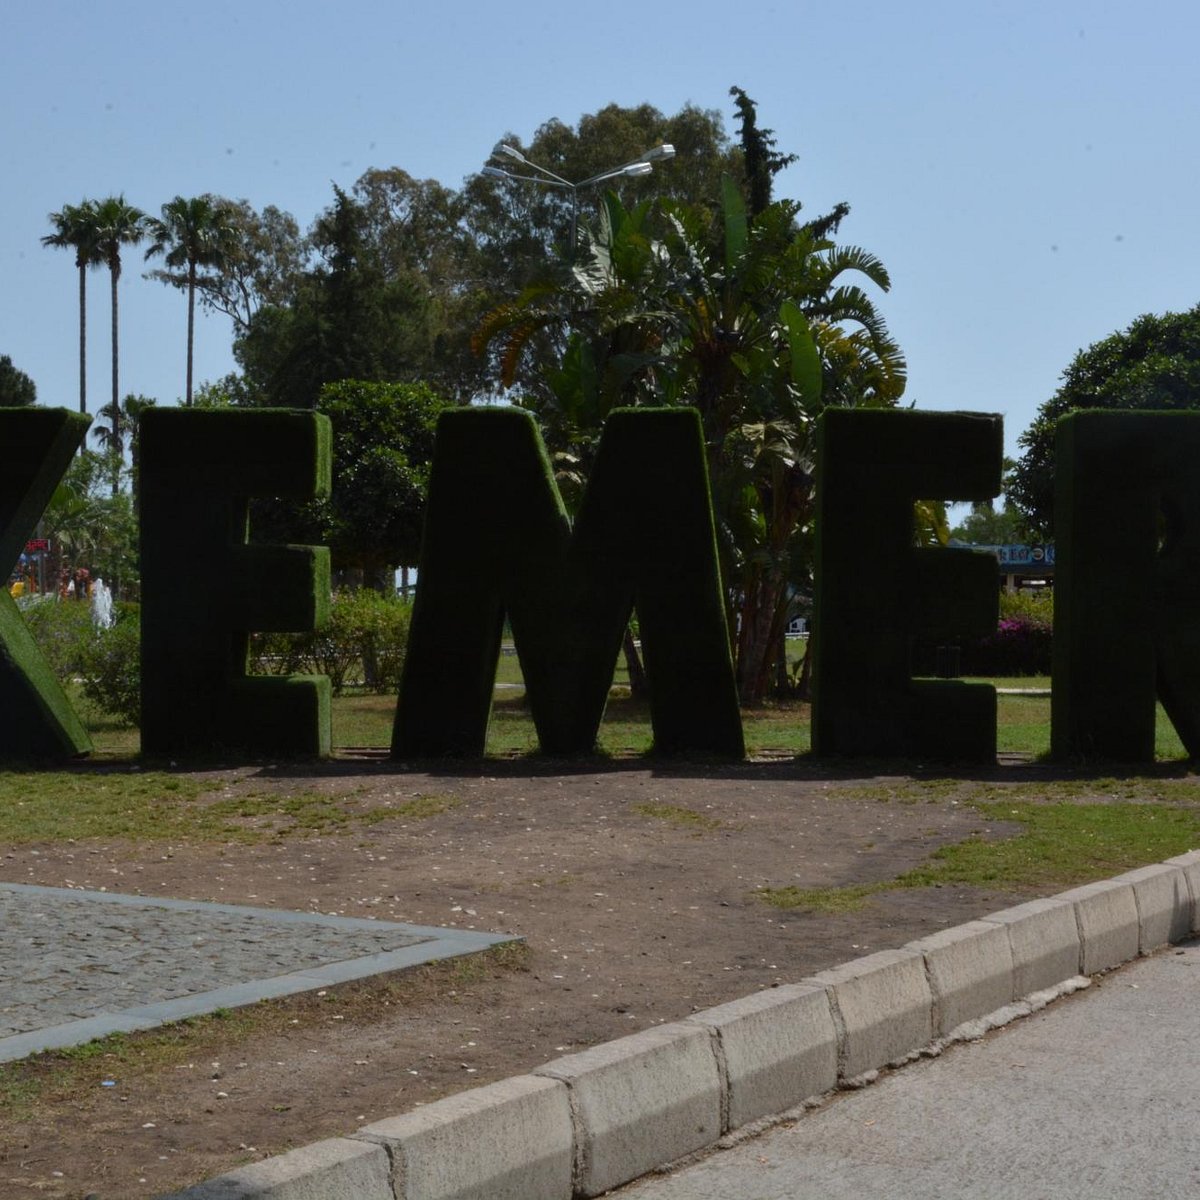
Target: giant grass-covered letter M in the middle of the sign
[(499, 541)]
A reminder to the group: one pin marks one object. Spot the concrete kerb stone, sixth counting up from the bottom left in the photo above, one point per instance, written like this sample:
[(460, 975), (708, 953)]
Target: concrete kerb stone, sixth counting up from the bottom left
[(970, 971)]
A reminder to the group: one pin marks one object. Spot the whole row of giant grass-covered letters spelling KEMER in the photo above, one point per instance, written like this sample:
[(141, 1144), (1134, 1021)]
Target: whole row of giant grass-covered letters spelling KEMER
[(499, 544)]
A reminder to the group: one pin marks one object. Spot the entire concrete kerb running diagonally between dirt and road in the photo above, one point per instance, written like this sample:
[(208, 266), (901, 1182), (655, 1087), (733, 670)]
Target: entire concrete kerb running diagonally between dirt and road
[(589, 1123)]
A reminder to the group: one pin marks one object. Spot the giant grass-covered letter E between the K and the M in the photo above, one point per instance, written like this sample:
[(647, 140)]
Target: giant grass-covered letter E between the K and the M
[(205, 590)]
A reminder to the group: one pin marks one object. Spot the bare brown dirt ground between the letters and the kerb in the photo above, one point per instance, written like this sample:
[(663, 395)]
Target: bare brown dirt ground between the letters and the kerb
[(633, 886)]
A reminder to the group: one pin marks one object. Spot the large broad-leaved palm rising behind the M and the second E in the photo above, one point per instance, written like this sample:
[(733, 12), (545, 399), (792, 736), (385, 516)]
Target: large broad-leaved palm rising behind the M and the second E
[(755, 328)]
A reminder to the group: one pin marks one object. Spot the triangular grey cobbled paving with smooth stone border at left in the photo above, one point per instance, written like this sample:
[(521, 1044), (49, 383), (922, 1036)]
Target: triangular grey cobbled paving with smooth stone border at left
[(76, 965)]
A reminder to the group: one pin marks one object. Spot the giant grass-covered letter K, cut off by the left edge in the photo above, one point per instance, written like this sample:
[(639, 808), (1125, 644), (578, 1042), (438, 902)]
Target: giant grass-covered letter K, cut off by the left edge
[(39, 445)]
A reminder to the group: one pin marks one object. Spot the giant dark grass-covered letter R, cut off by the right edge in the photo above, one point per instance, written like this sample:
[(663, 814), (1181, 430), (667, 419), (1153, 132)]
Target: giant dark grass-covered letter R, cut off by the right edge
[(1127, 583)]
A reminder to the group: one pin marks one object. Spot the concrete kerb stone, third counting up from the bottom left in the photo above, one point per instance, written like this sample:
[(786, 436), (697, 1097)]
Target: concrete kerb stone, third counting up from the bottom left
[(640, 1102)]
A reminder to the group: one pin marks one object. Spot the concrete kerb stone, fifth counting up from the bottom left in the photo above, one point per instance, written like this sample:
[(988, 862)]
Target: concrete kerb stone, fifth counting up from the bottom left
[(883, 1009)]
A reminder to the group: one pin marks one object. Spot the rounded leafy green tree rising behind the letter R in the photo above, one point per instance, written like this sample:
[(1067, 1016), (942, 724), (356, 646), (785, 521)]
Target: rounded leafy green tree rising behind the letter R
[(1155, 364)]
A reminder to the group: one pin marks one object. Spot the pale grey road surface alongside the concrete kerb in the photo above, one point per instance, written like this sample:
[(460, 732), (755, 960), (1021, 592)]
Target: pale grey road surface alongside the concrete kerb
[(1096, 1097)]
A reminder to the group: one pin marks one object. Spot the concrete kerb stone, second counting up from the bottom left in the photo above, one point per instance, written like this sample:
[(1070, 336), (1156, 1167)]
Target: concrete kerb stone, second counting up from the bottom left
[(512, 1141)]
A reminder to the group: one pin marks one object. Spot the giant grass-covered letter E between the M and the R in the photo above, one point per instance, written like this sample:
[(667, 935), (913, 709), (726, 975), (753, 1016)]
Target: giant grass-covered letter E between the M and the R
[(877, 591)]
